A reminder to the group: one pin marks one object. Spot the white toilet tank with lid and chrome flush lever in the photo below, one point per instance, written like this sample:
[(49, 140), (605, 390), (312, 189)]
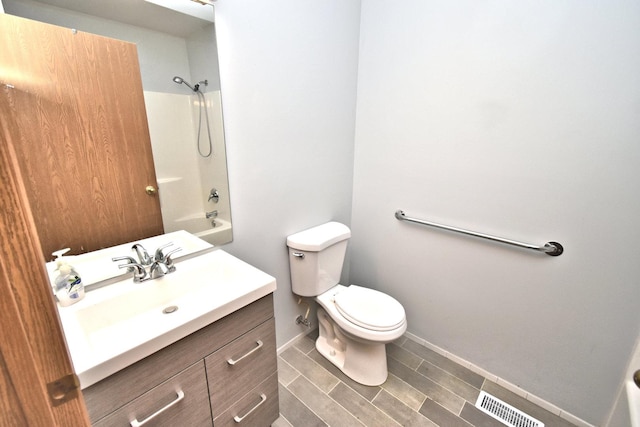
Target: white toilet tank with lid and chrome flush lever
[(316, 257)]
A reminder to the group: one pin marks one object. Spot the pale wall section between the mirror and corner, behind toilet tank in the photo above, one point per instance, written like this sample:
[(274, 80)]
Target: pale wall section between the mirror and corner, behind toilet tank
[(288, 74)]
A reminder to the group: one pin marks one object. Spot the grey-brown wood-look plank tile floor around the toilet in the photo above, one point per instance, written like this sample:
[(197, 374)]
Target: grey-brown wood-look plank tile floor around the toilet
[(423, 389)]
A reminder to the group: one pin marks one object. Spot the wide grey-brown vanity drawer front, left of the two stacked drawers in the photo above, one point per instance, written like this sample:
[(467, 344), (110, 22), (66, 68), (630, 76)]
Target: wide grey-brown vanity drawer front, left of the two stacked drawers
[(182, 400)]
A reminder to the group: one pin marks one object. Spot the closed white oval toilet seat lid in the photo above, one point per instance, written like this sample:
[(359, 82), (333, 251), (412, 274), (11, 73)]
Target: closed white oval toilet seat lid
[(369, 308)]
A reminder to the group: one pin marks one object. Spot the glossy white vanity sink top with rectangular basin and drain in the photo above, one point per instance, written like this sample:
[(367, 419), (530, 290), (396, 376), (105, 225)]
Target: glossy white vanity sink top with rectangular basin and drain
[(119, 324)]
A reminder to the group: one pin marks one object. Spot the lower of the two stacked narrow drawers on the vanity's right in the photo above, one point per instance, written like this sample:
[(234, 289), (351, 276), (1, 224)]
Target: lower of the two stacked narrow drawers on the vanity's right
[(259, 407)]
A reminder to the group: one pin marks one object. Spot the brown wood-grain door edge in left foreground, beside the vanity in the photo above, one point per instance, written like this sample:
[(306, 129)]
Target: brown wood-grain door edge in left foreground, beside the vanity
[(32, 348)]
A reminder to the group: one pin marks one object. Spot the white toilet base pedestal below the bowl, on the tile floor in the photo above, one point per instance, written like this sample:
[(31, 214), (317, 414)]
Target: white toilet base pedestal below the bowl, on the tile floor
[(363, 362)]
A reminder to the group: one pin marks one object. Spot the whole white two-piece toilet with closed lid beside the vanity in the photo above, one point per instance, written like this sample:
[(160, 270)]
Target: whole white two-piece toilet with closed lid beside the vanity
[(354, 322)]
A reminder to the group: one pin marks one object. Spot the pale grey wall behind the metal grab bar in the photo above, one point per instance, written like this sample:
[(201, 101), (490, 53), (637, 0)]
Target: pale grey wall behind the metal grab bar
[(519, 119)]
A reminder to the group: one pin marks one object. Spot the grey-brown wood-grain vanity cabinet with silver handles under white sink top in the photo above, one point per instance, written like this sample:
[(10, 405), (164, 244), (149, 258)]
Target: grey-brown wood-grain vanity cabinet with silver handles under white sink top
[(223, 374)]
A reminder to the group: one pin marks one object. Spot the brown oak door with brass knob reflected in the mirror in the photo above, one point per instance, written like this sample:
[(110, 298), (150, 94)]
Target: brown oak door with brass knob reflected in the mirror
[(81, 135)]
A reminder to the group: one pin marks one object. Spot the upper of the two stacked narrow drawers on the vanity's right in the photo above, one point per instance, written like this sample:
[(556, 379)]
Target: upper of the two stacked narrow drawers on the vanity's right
[(241, 365)]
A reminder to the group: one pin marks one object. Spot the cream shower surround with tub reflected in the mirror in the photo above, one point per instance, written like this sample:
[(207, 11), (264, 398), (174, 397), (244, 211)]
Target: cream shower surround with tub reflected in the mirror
[(185, 178)]
